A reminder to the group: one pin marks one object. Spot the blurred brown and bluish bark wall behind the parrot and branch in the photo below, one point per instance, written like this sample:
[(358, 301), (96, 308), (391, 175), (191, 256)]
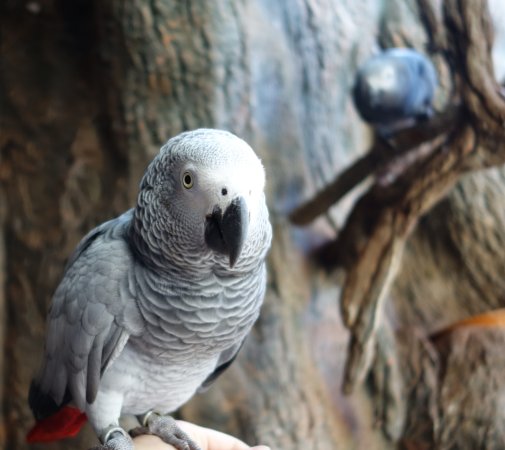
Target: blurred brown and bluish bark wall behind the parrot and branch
[(89, 91)]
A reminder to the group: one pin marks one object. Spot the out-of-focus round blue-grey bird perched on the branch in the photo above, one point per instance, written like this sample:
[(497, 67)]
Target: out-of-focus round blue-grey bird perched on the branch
[(395, 89)]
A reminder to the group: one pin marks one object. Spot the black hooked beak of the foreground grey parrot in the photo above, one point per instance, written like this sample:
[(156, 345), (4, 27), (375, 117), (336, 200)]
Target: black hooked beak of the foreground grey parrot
[(226, 233)]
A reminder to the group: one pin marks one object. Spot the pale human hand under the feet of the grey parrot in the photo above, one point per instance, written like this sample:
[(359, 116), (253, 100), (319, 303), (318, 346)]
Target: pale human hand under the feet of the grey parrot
[(207, 439)]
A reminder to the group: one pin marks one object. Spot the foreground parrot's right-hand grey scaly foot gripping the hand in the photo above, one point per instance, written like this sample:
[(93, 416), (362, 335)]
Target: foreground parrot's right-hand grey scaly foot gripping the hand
[(166, 428)]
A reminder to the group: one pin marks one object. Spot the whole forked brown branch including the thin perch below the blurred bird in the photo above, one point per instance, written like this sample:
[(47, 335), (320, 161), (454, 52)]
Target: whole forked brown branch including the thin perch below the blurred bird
[(371, 243)]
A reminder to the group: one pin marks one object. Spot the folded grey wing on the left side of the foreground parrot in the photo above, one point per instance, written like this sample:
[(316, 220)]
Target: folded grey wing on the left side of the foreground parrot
[(92, 315)]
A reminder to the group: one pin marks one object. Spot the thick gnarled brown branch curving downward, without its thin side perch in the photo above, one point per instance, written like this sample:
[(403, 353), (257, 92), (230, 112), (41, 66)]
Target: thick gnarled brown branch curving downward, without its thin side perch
[(421, 186)]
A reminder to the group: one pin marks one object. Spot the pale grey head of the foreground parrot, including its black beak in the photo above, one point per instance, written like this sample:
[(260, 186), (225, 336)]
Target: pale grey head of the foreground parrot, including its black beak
[(203, 194)]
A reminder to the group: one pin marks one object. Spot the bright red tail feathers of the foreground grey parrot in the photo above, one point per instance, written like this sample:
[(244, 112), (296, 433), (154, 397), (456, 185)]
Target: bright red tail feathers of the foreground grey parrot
[(67, 422)]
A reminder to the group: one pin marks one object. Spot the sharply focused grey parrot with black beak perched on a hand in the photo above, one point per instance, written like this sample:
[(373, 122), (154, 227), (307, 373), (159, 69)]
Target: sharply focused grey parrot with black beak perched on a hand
[(156, 303)]
